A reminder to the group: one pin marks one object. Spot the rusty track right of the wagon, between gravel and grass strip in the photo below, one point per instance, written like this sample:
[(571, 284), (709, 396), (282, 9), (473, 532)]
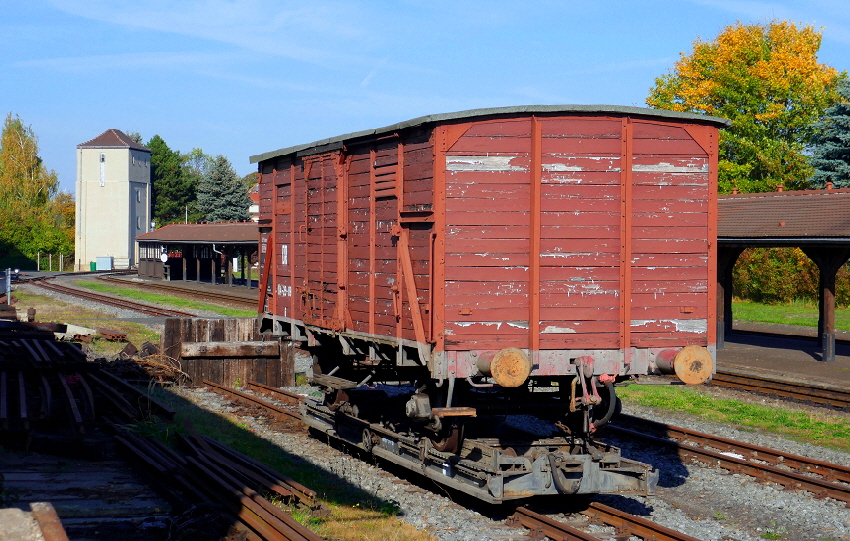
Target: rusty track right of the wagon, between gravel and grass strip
[(791, 471)]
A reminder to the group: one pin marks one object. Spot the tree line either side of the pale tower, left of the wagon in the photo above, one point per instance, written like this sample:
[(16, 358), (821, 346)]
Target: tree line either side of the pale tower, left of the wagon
[(36, 217)]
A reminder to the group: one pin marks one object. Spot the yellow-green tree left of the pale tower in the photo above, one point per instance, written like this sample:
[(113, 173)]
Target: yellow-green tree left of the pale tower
[(34, 215)]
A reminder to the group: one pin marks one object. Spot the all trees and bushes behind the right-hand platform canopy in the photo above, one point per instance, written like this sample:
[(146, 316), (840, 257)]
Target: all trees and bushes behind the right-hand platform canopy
[(790, 127)]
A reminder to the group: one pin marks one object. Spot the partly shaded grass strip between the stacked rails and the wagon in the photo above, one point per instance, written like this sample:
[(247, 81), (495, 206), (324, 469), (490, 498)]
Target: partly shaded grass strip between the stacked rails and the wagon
[(354, 515)]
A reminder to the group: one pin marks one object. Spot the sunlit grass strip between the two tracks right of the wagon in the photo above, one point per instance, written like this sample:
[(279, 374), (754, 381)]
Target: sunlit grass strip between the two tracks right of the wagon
[(815, 428)]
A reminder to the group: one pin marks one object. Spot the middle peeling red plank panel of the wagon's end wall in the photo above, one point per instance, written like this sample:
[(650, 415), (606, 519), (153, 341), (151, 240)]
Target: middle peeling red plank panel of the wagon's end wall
[(580, 238)]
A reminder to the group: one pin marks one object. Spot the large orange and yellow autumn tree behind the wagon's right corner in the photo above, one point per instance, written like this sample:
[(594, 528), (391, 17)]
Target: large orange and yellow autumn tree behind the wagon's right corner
[(767, 80)]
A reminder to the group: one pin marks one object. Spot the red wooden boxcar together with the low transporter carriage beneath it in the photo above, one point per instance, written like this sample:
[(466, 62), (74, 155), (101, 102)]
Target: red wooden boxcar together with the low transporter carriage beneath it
[(455, 271)]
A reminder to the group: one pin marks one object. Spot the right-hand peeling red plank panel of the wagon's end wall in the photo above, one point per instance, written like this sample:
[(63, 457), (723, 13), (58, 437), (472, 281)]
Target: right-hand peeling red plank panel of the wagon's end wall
[(672, 192)]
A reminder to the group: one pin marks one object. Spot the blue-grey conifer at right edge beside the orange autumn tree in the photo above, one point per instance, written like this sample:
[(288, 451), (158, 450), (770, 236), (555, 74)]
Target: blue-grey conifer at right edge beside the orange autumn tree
[(831, 153)]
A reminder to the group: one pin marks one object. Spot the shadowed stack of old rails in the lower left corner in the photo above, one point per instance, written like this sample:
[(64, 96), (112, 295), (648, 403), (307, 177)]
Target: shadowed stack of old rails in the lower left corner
[(50, 395)]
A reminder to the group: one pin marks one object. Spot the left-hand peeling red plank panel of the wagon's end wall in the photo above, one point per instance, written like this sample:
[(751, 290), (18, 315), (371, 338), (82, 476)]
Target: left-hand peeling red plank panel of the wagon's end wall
[(487, 236)]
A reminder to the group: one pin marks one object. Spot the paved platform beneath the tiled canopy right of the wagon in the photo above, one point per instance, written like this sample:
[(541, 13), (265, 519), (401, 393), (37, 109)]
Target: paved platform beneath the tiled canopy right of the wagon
[(788, 352)]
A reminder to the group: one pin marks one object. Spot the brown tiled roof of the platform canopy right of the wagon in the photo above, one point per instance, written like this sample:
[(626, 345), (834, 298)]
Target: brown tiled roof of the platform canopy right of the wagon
[(808, 214)]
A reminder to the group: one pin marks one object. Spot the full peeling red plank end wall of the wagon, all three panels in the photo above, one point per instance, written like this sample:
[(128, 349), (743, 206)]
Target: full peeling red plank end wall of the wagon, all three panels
[(488, 188)]
